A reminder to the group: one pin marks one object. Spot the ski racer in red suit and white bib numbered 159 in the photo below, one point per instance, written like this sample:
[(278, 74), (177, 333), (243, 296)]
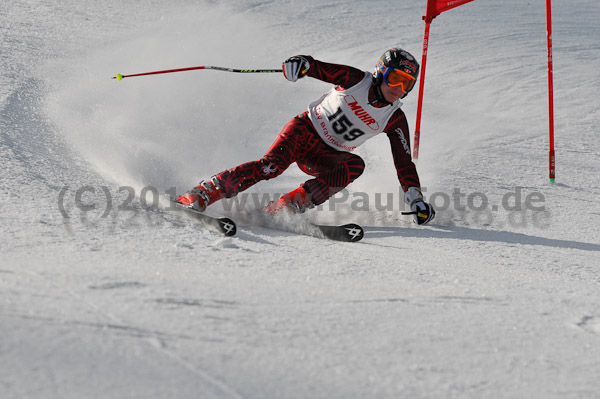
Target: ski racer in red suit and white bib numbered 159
[(320, 140)]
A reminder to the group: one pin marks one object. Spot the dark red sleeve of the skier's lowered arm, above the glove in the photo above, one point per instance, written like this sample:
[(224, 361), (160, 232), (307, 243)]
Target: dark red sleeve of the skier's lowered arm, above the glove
[(398, 133)]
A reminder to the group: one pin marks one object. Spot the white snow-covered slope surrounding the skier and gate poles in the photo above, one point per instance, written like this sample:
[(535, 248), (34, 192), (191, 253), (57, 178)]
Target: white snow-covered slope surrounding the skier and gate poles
[(119, 301)]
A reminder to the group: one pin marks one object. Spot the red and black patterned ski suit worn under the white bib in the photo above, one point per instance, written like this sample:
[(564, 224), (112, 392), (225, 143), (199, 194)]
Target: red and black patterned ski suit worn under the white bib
[(299, 142)]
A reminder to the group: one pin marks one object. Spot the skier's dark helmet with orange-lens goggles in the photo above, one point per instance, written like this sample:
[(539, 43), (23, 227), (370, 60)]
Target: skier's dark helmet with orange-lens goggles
[(397, 67)]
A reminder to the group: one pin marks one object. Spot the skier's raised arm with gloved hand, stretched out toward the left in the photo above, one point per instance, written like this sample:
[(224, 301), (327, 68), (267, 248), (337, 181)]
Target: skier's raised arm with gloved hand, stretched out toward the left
[(304, 65)]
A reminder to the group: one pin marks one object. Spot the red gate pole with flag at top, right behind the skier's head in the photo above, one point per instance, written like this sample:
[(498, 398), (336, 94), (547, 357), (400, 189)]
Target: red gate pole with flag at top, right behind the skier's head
[(434, 8)]
